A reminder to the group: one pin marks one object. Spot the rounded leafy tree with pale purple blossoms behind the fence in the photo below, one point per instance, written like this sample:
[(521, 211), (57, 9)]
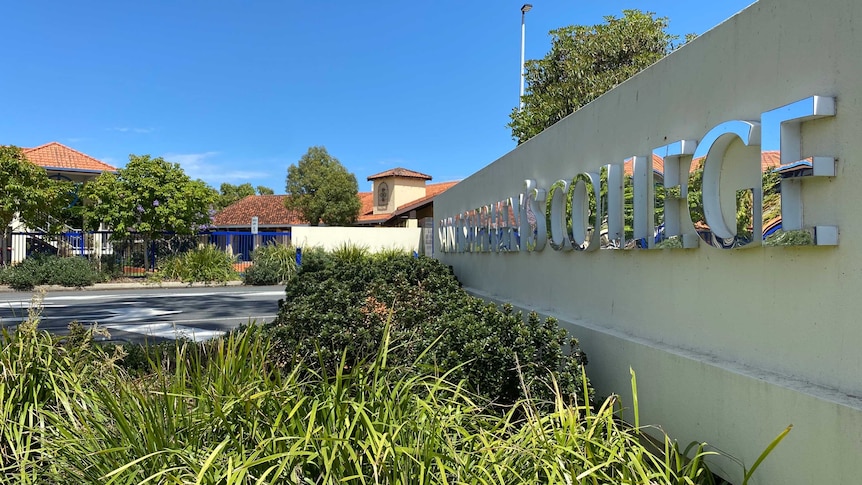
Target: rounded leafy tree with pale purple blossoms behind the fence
[(150, 196)]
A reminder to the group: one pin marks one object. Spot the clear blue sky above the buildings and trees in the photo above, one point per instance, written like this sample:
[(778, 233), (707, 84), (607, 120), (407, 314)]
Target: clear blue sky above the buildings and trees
[(237, 91)]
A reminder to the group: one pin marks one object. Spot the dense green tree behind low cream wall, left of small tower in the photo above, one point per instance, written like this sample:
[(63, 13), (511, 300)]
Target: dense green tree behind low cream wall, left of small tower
[(322, 190)]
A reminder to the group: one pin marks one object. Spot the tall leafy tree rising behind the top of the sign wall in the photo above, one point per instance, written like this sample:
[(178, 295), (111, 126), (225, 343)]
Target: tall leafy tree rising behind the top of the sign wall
[(584, 62)]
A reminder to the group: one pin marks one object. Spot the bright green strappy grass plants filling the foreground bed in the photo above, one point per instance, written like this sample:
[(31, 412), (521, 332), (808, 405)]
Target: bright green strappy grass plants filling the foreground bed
[(221, 413)]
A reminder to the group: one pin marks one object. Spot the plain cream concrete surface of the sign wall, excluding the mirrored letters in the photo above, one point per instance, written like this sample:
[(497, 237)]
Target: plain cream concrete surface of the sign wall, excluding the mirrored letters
[(730, 346)]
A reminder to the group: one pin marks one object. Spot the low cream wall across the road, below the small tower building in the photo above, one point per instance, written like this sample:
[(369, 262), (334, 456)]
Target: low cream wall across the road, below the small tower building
[(374, 238)]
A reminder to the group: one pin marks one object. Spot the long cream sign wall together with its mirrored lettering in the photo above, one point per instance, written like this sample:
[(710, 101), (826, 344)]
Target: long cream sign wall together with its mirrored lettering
[(730, 345)]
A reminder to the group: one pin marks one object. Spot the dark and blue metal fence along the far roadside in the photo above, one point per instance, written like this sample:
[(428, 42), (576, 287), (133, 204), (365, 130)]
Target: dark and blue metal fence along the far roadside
[(135, 255)]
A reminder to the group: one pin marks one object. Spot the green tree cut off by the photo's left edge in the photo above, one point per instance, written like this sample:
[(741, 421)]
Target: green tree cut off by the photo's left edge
[(26, 190)]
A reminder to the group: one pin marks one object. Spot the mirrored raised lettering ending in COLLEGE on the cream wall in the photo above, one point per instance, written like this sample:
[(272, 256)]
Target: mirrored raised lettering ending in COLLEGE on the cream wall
[(671, 199)]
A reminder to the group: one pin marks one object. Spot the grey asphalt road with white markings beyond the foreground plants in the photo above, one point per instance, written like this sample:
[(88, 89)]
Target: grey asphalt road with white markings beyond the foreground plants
[(149, 313)]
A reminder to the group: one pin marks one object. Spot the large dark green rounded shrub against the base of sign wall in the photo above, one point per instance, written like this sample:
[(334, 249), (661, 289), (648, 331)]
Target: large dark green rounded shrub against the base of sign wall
[(339, 308)]
